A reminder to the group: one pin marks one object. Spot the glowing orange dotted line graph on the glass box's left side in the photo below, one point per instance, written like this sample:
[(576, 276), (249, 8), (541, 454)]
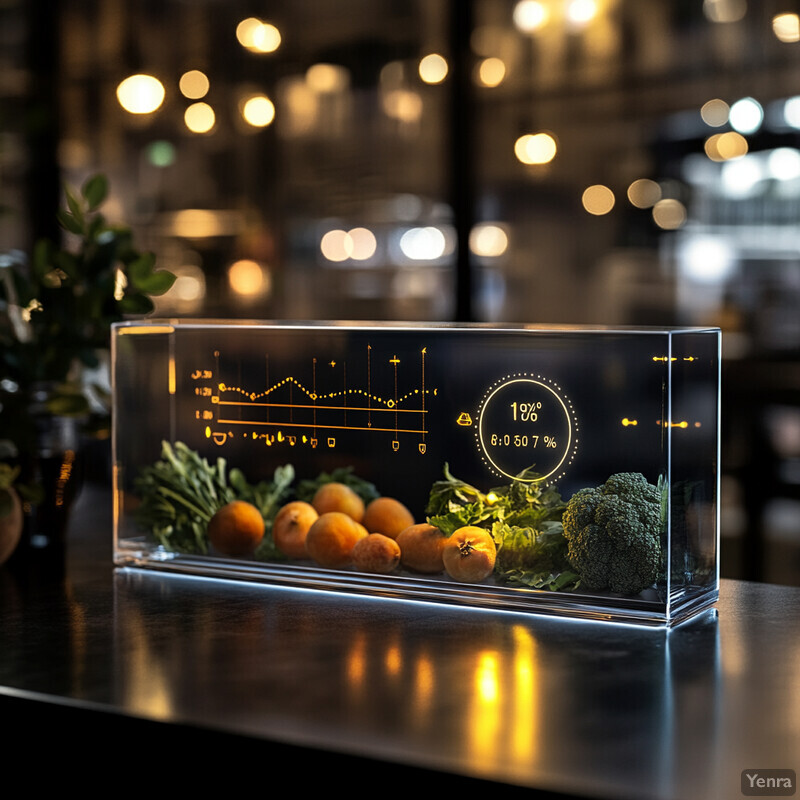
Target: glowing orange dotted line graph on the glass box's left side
[(315, 401)]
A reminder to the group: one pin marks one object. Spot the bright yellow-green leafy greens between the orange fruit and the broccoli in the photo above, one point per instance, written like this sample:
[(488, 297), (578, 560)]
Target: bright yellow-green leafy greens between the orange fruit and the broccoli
[(524, 519)]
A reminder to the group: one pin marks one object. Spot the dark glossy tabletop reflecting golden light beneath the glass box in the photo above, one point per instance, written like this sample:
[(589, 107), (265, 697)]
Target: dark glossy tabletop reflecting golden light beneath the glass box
[(175, 670)]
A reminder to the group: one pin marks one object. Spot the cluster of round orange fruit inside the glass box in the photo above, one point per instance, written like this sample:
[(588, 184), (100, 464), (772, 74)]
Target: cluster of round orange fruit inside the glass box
[(337, 529)]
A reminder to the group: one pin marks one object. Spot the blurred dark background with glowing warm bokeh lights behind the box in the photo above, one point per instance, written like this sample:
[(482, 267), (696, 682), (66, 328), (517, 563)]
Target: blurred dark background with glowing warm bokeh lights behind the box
[(571, 161)]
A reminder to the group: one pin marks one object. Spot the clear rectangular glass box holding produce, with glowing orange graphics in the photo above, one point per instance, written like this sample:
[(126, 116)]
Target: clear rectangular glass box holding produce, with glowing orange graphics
[(546, 469)]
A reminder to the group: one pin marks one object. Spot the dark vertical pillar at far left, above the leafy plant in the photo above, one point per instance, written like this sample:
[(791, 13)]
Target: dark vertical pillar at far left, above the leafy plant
[(42, 182)]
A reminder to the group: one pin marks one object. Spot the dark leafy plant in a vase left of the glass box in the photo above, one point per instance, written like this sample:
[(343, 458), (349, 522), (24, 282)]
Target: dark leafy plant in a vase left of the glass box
[(56, 309)]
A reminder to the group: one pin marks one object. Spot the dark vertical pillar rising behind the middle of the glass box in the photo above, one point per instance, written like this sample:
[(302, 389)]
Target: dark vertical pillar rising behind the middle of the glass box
[(462, 162)]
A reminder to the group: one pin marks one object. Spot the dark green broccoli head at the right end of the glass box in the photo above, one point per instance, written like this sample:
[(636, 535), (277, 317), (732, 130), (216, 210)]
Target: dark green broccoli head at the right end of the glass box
[(613, 534)]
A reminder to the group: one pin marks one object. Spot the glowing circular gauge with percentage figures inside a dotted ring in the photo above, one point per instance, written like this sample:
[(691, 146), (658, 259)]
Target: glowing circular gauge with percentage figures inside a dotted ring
[(526, 422)]
